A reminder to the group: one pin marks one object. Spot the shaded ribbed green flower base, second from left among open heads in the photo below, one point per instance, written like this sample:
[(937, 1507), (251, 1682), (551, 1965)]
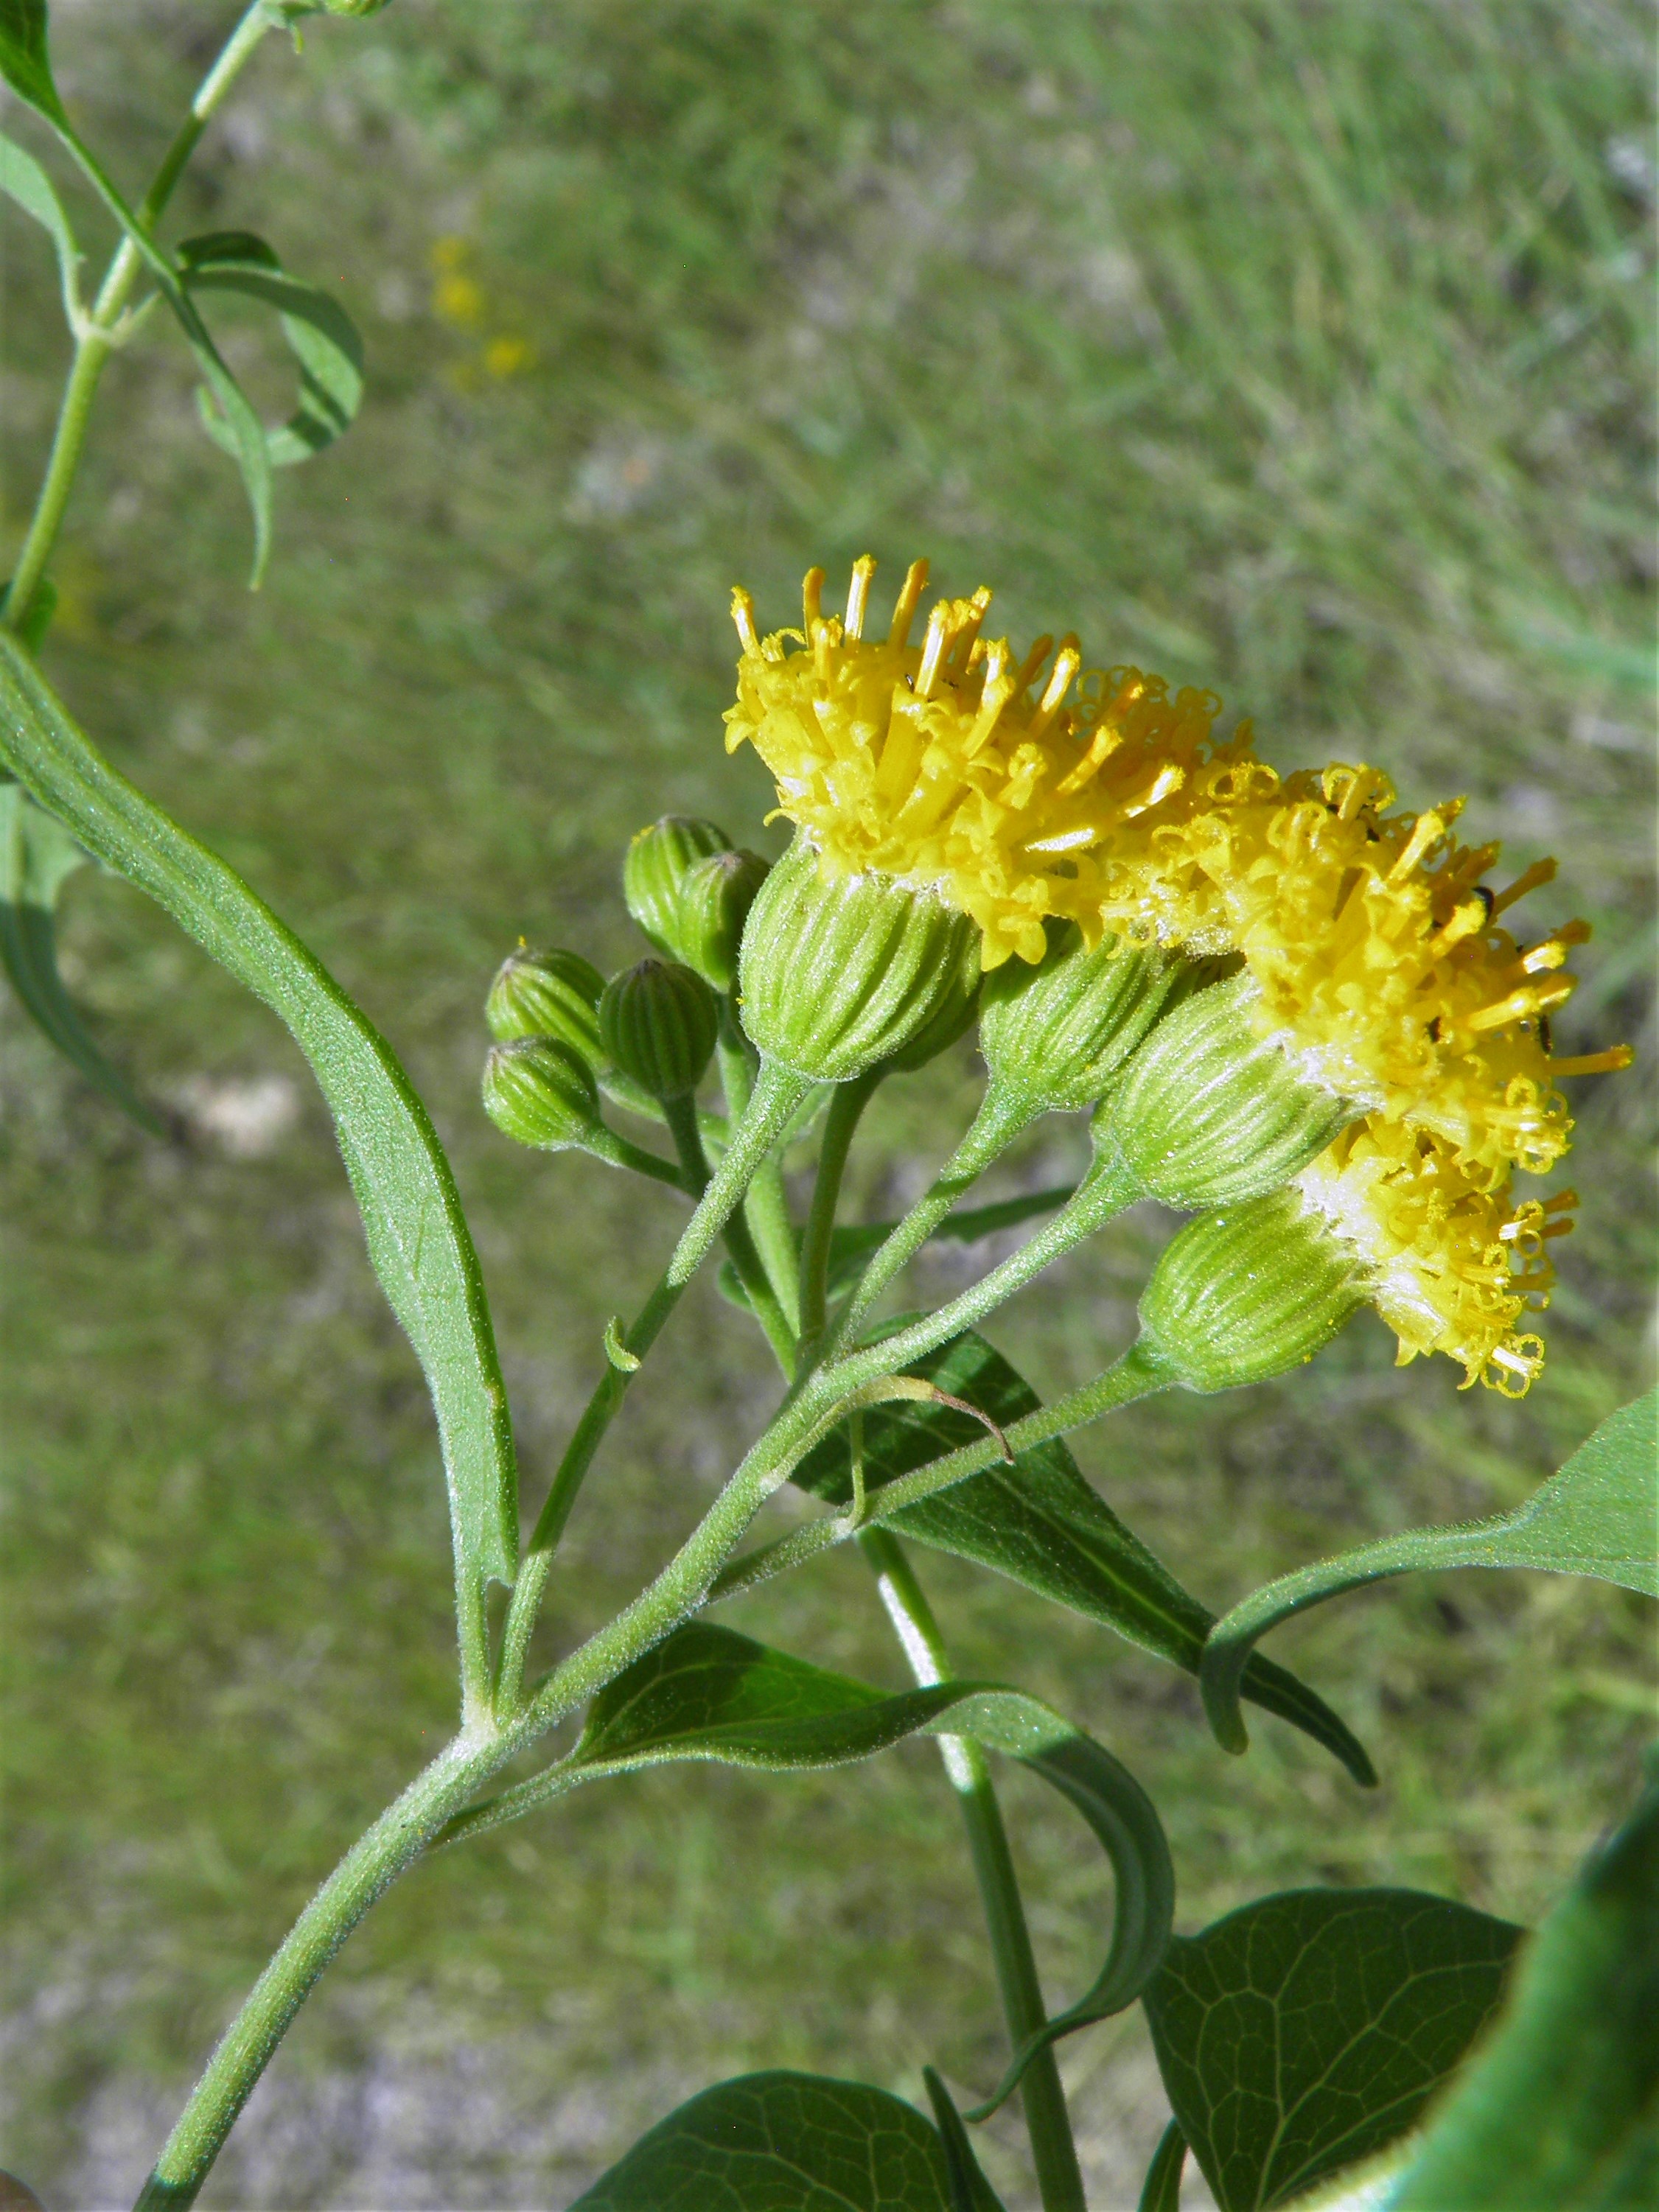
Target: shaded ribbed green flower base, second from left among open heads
[(1056, 1034)]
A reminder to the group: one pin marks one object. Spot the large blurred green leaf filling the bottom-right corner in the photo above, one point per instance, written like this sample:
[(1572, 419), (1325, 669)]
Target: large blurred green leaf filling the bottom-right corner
[(1561, 2107)]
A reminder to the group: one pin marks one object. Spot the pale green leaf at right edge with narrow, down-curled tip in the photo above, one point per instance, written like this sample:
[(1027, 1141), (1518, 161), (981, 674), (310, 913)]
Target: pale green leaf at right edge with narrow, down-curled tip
[(1596, 1519)]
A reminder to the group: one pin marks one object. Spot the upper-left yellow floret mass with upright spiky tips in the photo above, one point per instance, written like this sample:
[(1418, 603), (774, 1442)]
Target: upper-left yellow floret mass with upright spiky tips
[(1010, 786)]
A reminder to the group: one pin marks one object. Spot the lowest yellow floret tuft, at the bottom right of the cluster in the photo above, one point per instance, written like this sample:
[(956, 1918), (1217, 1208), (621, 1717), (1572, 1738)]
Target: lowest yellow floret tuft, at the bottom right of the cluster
[(1450, 1264)]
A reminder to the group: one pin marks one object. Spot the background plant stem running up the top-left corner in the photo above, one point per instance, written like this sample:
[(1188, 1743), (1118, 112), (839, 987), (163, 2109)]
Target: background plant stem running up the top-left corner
[(96, 342)]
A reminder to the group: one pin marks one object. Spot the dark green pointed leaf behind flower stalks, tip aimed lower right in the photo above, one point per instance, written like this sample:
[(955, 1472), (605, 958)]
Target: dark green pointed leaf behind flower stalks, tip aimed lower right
[(1045, 1525)]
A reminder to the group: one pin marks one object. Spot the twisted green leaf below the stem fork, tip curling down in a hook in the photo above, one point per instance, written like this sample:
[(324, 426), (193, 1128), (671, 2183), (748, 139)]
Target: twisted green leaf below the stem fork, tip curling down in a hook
[(713, 1693)]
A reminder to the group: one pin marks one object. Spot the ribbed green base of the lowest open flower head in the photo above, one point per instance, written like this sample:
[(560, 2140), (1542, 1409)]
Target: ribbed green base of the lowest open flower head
[(1249, 1293)]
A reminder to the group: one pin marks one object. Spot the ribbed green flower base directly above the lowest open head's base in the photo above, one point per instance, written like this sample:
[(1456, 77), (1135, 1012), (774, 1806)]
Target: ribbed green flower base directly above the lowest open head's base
[(1209, 1114)]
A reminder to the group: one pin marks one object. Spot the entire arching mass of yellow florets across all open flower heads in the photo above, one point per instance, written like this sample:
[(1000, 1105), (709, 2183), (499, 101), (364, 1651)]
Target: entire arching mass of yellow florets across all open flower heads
[(1025, 786)]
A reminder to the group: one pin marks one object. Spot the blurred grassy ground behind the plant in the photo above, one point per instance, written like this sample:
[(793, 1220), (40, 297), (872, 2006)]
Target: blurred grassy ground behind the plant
[(1304, 351)]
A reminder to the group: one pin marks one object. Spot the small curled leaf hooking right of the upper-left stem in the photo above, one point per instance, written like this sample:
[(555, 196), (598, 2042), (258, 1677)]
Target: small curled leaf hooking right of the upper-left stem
[(317, 328)]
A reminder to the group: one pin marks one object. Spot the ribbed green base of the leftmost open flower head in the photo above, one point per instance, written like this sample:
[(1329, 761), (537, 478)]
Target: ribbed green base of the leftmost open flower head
[(844, 972)]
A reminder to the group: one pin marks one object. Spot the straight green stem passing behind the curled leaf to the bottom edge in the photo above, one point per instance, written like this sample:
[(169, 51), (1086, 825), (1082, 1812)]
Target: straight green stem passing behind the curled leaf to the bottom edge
[(1045, 2103)]
